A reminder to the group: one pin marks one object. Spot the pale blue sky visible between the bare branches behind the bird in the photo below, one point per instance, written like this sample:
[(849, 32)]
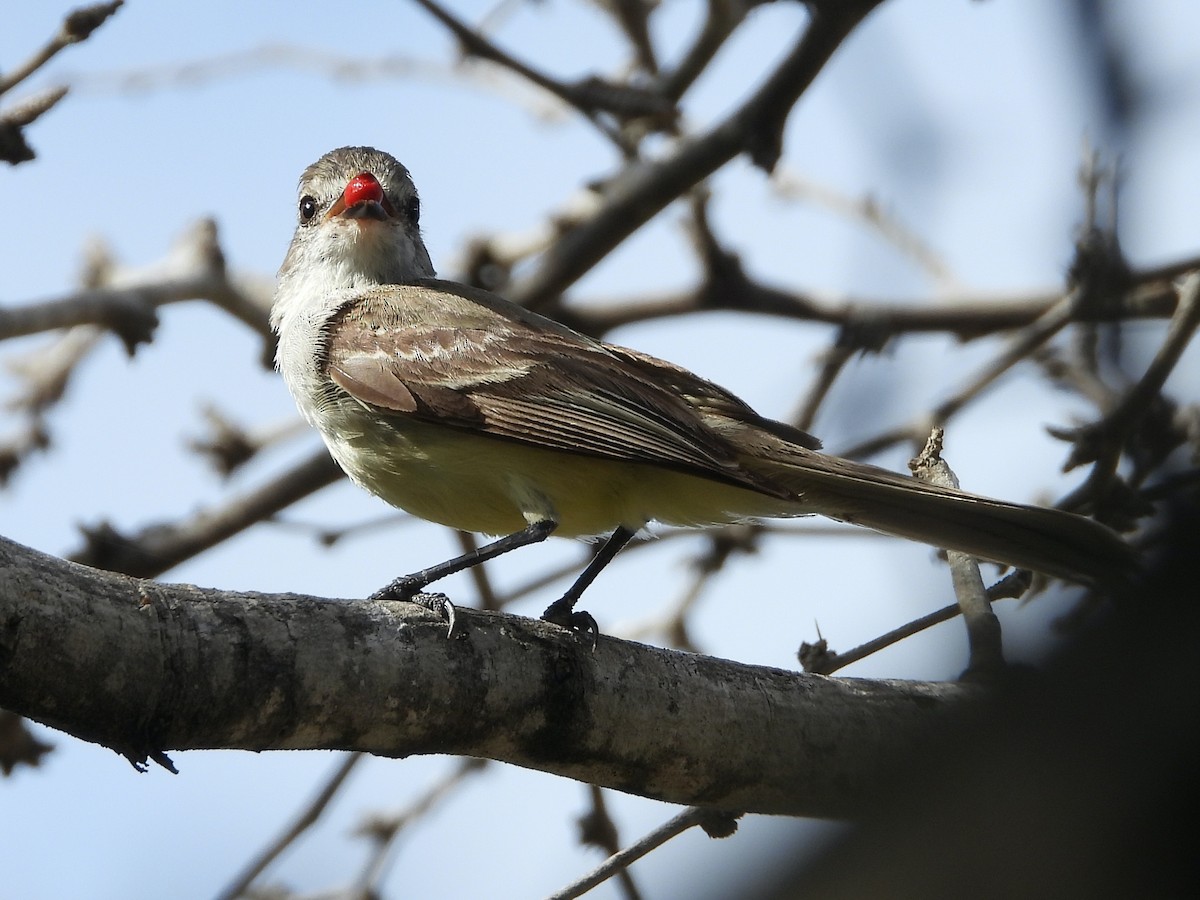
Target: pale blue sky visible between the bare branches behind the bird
[(965, 121)]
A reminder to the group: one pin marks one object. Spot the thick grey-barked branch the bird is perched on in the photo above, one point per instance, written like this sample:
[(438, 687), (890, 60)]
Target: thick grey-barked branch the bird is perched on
[(145, 668)]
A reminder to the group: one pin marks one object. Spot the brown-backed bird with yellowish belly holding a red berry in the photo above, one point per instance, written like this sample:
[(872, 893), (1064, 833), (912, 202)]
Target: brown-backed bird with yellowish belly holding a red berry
[(470, 411)]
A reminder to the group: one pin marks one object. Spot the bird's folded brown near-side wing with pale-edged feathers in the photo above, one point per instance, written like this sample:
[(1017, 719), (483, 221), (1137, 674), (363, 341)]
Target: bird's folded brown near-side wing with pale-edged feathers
[(448, 355)]
